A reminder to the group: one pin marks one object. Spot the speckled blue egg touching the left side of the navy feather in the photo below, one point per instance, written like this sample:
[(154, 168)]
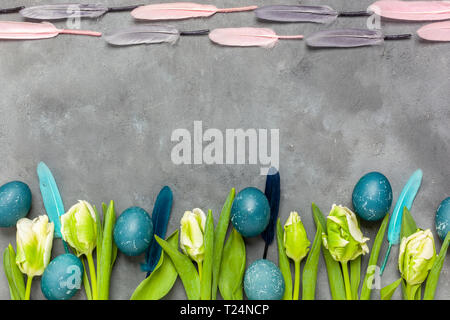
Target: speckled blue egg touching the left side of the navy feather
[(250, 212)]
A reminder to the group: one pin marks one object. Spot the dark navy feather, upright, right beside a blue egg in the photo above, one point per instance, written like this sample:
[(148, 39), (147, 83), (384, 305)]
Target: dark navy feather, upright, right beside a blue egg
[(272, 193)]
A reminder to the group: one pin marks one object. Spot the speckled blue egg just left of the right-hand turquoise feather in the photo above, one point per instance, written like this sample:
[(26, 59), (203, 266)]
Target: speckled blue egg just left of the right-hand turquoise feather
[(372, 196)]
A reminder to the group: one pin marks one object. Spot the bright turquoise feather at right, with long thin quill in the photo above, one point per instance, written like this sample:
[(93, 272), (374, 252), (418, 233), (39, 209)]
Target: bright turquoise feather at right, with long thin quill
[(405, 199)]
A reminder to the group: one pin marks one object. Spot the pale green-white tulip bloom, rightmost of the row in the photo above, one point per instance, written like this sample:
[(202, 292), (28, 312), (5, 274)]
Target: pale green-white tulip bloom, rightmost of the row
[(417, 255)]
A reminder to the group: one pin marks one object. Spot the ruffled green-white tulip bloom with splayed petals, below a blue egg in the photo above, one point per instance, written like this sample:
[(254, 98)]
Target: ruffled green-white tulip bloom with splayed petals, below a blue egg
[(344, 239)]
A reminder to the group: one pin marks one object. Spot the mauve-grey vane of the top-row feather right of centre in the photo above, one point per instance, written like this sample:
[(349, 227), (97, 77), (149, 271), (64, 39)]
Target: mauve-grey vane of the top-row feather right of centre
[(297, 13)]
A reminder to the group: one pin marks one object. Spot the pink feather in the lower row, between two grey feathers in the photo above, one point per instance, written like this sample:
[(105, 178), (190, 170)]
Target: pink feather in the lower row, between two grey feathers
[(247, 37)]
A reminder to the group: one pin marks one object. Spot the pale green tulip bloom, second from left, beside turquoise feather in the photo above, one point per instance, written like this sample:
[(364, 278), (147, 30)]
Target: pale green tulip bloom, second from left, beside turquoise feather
[(79, 228)]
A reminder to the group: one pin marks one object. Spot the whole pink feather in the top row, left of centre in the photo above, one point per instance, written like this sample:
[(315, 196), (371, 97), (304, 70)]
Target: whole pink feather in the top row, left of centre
[(180, 10)]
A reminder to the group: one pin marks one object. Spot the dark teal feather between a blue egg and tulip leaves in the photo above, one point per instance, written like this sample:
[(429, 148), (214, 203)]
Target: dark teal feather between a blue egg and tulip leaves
[(160, 219)]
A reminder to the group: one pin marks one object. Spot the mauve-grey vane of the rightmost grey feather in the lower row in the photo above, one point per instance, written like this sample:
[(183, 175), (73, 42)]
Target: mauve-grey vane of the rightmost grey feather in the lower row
[(345, 38)]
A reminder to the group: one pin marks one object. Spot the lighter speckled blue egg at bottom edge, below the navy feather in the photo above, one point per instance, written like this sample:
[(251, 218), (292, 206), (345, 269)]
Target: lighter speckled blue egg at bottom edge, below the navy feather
[(263, 281)]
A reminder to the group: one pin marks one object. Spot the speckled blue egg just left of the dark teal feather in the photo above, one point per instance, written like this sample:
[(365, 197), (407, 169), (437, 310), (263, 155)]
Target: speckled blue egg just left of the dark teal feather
[(133, 231)]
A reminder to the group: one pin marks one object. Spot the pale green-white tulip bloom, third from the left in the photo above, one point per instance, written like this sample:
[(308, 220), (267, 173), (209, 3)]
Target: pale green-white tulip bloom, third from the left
[(192, 233)]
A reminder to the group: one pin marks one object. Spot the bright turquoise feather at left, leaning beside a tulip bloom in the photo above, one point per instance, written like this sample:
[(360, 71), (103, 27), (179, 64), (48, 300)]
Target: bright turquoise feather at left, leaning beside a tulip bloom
[(50, 196)]
